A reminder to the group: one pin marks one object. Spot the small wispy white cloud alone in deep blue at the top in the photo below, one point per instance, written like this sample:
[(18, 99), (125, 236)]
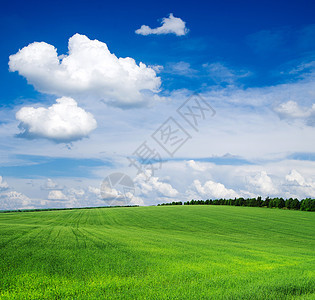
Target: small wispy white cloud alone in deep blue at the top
[(169, 25)]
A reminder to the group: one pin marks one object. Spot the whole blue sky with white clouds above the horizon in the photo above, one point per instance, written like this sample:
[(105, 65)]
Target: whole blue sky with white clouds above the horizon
[(119, 103)]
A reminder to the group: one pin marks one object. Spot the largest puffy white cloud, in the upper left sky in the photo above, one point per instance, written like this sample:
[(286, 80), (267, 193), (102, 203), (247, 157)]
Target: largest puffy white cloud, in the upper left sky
[(88, 70)]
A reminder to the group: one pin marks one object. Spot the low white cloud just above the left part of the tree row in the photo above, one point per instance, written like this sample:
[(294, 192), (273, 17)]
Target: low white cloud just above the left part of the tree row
[(214, 190)]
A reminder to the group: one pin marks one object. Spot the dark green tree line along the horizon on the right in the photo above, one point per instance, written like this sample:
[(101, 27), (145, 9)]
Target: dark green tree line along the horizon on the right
[(307, 204)]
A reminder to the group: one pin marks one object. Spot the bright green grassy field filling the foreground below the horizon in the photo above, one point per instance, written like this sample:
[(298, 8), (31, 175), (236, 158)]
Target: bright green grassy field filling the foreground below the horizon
[(175, 252)]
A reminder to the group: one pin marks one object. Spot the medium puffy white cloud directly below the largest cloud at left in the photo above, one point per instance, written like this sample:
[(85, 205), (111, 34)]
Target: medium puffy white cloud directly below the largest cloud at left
[(61, 122)]
